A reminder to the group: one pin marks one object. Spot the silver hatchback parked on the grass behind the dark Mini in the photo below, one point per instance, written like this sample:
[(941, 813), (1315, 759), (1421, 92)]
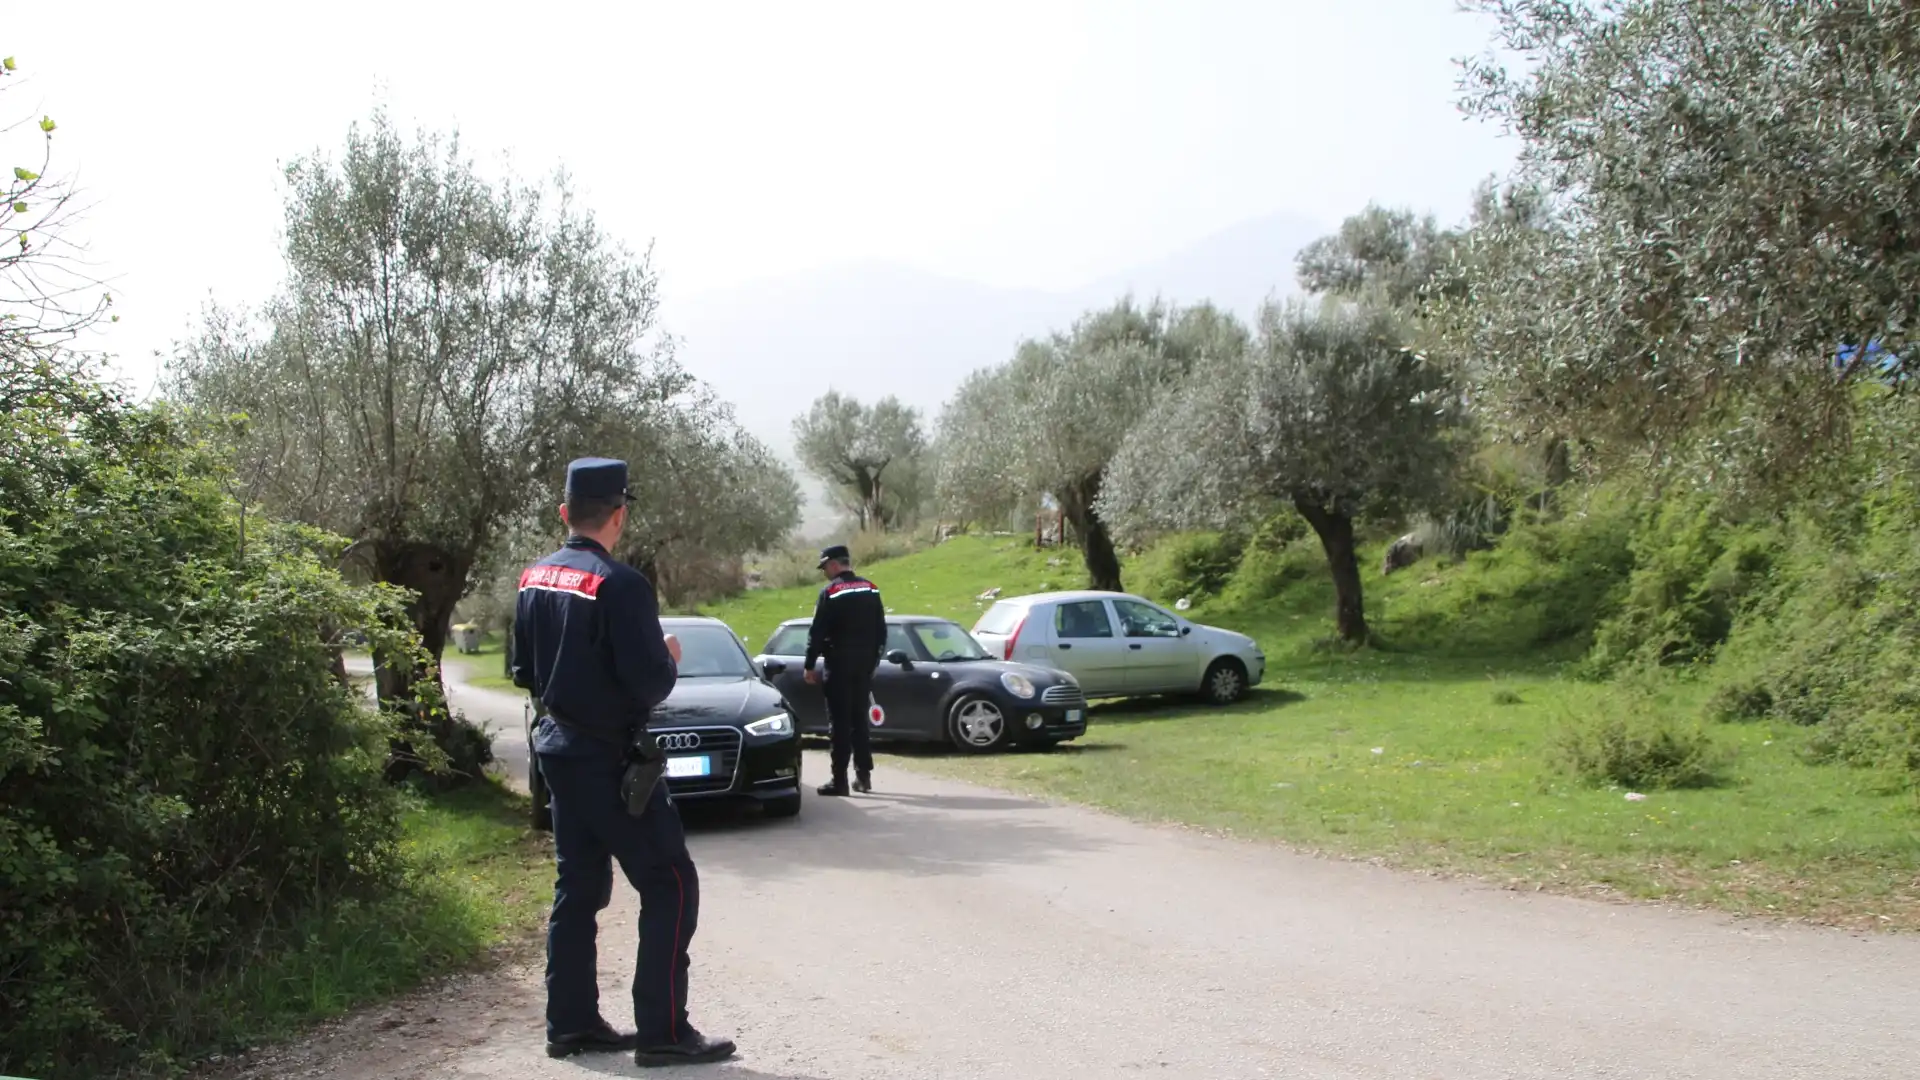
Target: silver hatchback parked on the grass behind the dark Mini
[(1122, 647)]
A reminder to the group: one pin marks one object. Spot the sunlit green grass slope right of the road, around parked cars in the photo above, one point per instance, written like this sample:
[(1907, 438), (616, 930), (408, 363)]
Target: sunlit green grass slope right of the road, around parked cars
[(1460, 710)]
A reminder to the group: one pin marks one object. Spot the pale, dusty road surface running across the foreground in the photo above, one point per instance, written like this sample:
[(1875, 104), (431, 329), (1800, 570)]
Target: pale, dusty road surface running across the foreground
[(949, 931)]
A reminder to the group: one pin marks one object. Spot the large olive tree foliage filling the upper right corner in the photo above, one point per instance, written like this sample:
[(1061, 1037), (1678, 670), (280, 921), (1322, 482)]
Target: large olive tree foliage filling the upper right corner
[(1733, 201)]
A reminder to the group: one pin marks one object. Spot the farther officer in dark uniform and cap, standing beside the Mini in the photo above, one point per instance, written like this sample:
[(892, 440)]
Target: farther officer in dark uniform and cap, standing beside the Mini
[(850, 631)]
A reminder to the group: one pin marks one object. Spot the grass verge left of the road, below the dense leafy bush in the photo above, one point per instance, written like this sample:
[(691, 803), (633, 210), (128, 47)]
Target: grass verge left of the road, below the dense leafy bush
[(477, 883)]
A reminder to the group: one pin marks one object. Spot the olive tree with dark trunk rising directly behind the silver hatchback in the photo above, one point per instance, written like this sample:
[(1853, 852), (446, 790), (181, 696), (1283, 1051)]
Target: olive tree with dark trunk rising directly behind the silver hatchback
[(1049, 422)]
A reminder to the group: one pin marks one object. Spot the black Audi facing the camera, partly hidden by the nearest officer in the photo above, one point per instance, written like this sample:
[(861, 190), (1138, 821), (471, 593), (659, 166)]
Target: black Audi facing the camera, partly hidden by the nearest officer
[(727, 731)]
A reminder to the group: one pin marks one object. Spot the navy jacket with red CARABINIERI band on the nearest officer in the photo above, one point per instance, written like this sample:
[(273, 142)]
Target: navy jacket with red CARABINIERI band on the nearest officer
[(588, 643)]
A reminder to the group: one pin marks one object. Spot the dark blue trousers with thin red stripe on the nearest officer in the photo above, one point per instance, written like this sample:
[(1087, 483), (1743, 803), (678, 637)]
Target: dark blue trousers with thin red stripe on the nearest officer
[(590, 833)]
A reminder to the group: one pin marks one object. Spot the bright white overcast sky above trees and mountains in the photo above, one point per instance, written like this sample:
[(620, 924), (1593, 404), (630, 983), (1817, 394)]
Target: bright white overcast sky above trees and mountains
[(1036, 143)]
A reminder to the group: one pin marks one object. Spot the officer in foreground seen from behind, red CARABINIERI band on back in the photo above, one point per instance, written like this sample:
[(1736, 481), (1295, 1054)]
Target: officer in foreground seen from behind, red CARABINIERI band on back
[(588, 645)]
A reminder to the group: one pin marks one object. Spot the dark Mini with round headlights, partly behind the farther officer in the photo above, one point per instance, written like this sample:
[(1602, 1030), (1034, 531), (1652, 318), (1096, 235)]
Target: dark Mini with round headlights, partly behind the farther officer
[(938, 685)]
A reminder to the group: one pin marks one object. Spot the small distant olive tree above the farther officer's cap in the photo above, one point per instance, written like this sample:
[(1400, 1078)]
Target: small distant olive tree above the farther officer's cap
[(869, 456)]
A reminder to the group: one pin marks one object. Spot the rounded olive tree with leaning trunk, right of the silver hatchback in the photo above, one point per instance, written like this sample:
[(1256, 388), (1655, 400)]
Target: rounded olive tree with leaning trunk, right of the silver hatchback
[(1328, 412)]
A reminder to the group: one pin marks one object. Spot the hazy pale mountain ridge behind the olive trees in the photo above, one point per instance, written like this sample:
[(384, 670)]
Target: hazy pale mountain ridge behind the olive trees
[(873, 330)]
